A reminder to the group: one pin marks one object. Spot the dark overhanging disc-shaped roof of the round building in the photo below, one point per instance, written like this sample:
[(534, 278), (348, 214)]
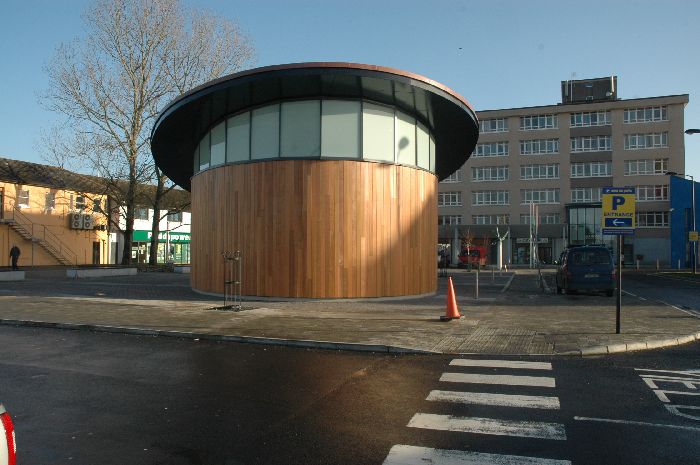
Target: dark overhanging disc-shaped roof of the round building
[(186, 120)]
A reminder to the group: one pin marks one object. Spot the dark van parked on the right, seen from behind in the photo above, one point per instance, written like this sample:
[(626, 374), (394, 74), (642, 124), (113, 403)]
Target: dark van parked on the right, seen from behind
[(586, 268)]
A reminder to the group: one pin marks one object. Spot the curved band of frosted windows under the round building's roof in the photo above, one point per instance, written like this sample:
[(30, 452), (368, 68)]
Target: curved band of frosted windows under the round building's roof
[(314, 129)]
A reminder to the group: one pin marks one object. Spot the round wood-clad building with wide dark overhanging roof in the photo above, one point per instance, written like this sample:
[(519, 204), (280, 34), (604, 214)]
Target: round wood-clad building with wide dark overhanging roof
[(323, 175)]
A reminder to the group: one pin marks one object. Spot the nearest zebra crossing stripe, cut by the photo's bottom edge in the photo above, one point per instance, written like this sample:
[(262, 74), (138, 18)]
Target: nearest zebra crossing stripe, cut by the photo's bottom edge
[(412, 455)]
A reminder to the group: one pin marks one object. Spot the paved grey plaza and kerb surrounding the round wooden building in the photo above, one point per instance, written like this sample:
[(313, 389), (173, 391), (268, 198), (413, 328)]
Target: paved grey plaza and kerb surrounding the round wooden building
[(513, 315)]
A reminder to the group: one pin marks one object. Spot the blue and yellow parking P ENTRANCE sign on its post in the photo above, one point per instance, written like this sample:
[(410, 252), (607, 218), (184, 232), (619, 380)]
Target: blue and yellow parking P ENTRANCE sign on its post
[(618, 220)]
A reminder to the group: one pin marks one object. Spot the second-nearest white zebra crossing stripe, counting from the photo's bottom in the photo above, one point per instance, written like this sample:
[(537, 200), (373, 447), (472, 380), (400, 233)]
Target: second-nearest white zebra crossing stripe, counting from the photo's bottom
[(525, 429)]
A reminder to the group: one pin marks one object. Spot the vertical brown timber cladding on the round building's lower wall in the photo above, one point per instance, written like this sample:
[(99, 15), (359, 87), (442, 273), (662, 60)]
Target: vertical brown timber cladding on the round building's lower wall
[(316, 228)]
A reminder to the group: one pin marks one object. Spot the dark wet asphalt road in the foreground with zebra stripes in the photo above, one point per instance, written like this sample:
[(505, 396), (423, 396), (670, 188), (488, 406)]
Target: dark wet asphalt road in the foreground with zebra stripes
[(89, 398)]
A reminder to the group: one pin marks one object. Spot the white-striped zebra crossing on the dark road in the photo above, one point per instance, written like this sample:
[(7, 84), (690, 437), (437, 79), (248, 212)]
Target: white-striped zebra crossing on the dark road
[(464, 372)]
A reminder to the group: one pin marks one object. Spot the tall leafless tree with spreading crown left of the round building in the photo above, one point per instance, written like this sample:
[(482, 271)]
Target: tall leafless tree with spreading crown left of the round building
[(111, 85)]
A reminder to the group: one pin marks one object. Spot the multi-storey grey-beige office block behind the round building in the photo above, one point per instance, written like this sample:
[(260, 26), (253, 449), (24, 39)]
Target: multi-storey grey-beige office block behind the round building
[(536, 175)]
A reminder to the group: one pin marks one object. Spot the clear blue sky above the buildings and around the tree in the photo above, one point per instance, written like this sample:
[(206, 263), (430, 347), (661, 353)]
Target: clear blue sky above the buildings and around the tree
[(497, 54)]
